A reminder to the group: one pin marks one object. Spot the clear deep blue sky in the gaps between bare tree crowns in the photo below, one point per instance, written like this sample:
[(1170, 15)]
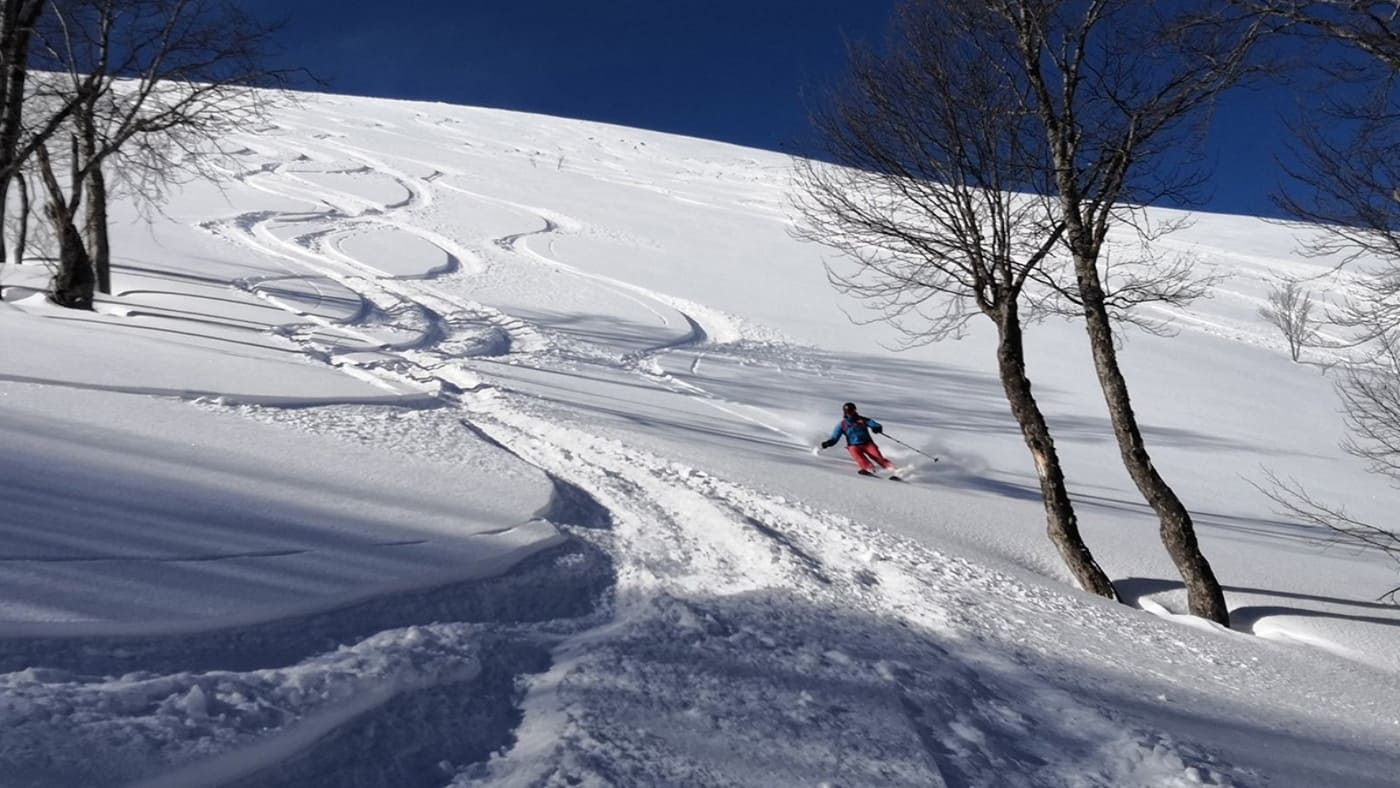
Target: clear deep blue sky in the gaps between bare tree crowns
[(719, 69)]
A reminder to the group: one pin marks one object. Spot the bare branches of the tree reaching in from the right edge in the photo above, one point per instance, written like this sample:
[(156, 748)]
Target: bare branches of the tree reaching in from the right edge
[(1346, 178)]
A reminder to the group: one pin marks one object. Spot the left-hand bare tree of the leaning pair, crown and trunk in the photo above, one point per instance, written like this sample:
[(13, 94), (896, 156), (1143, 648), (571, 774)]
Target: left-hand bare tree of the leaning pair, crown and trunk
[(930, 145)]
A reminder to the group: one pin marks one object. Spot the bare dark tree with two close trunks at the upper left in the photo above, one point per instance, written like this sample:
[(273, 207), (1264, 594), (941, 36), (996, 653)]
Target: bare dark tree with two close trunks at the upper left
[(153, 83)]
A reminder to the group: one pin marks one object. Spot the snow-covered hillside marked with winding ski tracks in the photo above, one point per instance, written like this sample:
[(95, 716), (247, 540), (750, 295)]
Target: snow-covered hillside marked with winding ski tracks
[(457, 447)]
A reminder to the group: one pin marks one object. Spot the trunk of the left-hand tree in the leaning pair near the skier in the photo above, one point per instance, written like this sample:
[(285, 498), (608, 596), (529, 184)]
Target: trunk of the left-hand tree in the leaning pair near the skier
[(1060, 520)]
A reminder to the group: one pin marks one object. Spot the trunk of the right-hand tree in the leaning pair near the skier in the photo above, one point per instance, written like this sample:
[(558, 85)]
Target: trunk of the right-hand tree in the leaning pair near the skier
[(1203, 591)]
